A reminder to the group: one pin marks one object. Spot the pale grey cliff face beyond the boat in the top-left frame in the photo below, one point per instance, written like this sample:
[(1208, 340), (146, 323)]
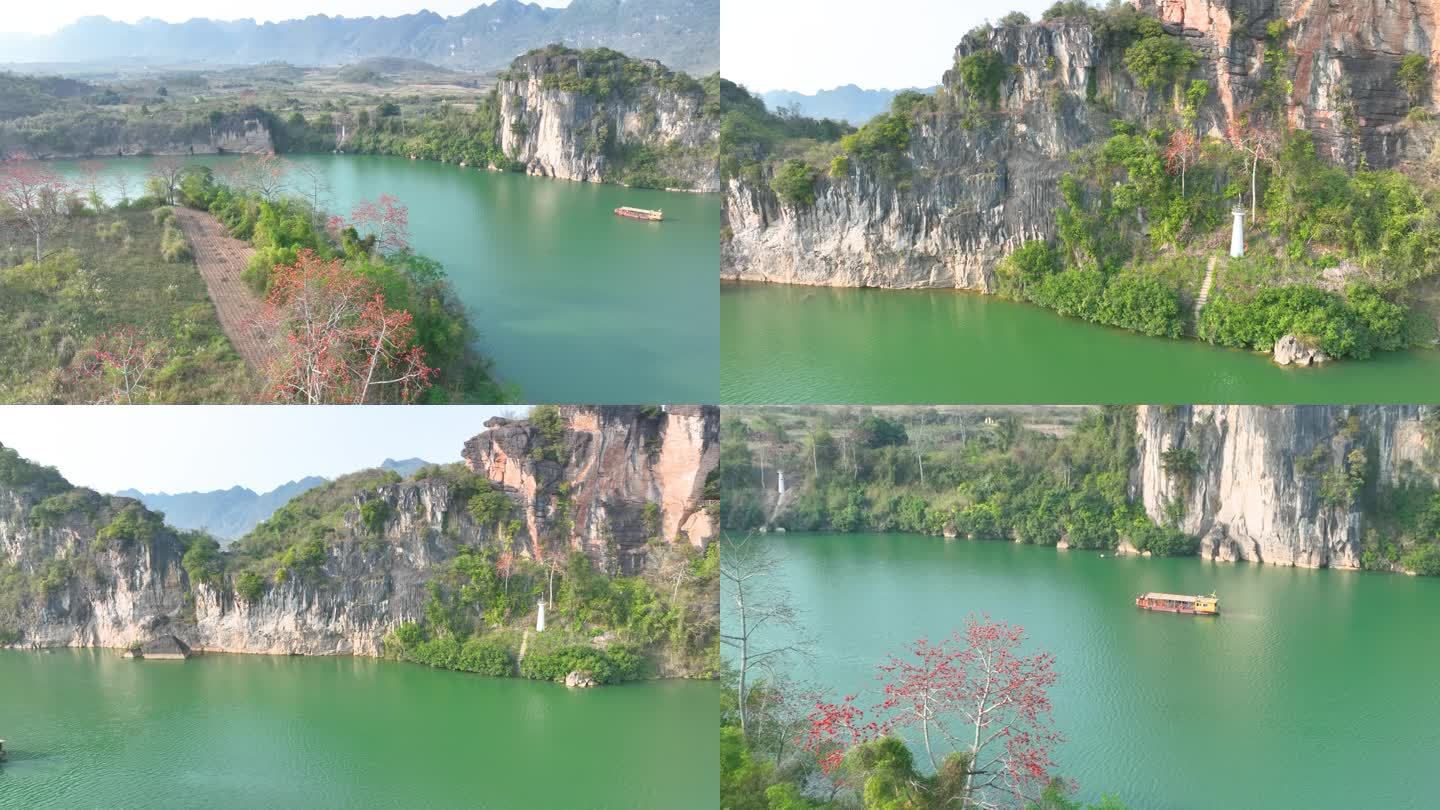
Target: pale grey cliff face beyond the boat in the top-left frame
[(584, 135)]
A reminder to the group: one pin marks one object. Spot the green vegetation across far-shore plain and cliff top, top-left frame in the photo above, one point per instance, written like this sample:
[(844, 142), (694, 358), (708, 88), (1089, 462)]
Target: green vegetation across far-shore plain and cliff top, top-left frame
[(303, 113)]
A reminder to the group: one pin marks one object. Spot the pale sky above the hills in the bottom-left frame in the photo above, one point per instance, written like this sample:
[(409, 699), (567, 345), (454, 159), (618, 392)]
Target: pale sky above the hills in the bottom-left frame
[(195, 448)]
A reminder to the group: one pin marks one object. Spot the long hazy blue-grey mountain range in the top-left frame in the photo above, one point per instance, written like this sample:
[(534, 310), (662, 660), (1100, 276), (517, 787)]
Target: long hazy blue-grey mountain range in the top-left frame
[(682, 34)]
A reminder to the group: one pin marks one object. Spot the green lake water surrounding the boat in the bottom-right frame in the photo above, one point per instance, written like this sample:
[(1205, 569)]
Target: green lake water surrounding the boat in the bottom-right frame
[(1313, 688)]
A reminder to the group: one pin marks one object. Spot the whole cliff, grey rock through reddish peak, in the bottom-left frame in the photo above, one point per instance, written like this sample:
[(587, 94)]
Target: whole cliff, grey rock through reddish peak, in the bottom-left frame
[(614, 460)]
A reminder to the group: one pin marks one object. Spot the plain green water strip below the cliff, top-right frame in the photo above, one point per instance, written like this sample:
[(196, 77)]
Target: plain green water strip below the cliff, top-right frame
[(819, 345)]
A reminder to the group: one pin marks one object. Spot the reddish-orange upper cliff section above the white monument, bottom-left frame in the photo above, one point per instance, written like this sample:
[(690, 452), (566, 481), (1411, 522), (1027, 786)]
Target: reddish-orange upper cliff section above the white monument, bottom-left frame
[(620, 459)]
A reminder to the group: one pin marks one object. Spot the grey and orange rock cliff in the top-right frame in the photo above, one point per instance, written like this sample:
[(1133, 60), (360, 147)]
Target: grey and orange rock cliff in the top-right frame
[(980, 185)]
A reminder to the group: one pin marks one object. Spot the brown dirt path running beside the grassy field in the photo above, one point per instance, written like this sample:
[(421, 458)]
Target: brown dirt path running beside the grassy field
[(221, 262)]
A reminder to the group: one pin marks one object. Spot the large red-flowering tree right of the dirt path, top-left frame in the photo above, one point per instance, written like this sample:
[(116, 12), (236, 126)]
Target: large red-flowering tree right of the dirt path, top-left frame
[(338, 339)]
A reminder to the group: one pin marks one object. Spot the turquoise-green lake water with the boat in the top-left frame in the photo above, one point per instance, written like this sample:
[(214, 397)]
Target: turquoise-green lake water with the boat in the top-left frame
[(574, 303)]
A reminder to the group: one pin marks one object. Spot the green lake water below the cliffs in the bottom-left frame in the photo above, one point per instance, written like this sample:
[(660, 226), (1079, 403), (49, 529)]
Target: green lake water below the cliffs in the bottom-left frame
[(89, 729)]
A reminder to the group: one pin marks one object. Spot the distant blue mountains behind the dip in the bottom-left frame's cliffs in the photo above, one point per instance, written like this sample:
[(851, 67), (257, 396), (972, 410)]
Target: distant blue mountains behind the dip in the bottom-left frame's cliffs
[(231, 514)]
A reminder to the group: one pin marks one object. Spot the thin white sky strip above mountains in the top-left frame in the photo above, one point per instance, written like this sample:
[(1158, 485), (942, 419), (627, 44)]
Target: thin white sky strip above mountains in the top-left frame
[(45, 18)]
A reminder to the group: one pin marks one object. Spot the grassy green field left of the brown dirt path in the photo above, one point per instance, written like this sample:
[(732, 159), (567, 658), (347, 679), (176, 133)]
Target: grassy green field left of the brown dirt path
[(103, 276)]
